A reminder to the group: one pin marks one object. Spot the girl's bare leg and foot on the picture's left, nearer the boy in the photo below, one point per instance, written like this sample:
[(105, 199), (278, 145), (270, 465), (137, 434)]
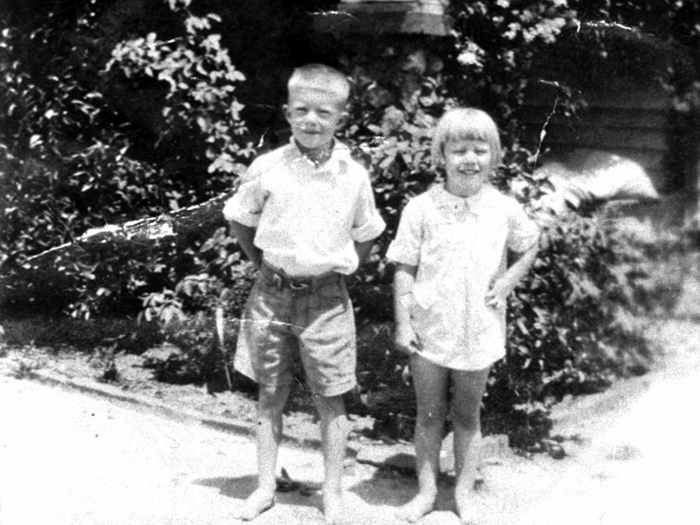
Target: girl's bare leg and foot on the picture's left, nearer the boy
[(430, 382)]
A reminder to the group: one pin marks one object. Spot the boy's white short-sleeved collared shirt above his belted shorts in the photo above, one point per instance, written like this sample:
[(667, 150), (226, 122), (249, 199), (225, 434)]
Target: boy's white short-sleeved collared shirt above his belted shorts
[(307, 217)]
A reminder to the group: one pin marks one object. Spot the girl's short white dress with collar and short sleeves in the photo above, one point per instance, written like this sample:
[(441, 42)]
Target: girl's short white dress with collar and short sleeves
[(460, 246)]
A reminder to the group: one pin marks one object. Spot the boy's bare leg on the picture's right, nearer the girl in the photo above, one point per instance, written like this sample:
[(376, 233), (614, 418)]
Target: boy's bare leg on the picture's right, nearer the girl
[(334, 435)]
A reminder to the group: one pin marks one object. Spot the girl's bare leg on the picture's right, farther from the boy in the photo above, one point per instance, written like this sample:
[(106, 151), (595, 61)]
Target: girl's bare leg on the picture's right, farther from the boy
[(466, 422)]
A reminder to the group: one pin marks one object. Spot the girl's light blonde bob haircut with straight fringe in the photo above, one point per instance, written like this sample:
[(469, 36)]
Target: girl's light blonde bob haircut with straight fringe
[(466, 124)]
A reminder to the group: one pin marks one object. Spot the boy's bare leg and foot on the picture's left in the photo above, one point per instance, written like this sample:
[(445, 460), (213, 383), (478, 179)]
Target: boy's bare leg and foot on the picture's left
[(271, 402)]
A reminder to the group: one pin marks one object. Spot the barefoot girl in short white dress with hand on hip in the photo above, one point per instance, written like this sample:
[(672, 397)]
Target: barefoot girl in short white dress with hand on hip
[(451, 285)]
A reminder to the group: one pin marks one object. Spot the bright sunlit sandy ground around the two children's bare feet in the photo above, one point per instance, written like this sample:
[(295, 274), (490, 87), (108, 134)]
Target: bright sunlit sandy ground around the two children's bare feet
[(68, 458)]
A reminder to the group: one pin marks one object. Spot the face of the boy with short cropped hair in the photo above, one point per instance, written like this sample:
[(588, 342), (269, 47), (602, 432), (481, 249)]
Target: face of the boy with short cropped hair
[(314, 115)]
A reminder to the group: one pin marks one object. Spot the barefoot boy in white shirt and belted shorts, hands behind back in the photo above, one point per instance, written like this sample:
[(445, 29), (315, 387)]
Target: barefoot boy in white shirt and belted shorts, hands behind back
[(305, 216)]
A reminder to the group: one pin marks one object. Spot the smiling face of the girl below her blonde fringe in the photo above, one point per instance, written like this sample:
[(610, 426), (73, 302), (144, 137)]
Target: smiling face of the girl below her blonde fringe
[(468, 164)]
